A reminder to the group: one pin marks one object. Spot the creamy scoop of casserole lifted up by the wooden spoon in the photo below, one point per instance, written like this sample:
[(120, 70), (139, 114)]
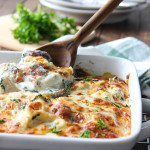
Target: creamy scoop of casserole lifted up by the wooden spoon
[(33, 74)]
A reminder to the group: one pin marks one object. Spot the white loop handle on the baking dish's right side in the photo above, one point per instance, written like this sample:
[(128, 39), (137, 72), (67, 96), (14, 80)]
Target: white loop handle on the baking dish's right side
[(145, 129)]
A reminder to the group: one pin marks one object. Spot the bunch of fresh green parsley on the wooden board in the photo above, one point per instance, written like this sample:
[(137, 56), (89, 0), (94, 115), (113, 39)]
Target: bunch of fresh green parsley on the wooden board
[(39, 25)]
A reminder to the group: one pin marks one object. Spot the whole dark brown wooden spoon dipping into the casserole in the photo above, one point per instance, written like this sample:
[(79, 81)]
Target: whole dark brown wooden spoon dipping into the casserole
[(63, 53)]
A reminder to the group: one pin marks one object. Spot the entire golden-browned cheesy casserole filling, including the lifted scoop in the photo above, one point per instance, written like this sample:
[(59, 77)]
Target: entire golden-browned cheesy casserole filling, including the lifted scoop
[(96, 107)]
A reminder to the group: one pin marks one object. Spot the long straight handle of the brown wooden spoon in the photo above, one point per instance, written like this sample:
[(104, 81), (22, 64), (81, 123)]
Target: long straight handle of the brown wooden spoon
[(96, 20)]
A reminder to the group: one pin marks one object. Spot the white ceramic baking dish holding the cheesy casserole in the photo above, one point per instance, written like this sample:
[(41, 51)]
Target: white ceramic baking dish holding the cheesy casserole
[(94, 65)]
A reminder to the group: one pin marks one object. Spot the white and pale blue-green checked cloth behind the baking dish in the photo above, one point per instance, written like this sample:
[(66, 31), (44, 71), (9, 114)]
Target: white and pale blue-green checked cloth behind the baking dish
[(129, 48)]
